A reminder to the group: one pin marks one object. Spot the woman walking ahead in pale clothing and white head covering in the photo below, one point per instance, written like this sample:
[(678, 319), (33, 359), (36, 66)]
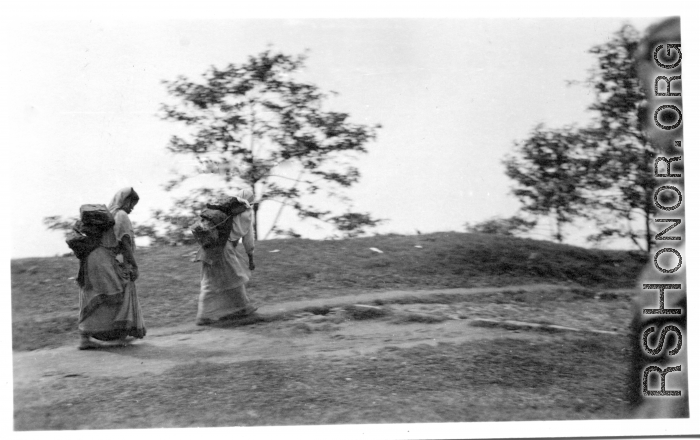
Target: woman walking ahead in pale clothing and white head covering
[(225, 270)]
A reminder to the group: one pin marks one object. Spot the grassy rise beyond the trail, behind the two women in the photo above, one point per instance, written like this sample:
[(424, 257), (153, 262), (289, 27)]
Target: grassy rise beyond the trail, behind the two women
[(44, 295)]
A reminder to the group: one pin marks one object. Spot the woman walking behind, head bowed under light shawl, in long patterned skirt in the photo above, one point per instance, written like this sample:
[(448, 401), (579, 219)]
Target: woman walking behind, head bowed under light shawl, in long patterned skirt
[(109, 307)]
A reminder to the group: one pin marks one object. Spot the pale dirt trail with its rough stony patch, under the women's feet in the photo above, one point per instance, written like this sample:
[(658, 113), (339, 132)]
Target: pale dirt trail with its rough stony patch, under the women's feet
[(288, 330)]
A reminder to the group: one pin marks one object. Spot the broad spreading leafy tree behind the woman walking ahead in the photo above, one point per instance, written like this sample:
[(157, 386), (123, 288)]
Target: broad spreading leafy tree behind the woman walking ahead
[(252, 125)]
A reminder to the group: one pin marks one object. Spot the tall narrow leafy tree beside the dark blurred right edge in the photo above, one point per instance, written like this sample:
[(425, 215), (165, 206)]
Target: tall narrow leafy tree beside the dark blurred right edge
[(623, 173)]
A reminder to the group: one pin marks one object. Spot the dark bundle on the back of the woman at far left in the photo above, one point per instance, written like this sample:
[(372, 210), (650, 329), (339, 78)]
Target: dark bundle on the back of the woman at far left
[(87, 232)]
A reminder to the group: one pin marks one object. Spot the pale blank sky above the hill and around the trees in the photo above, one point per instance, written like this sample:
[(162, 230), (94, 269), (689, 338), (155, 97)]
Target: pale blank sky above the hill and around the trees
[(452, 96)]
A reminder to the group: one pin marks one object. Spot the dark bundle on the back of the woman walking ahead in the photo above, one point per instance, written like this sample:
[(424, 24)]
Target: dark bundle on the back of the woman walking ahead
[(214, 225)]
